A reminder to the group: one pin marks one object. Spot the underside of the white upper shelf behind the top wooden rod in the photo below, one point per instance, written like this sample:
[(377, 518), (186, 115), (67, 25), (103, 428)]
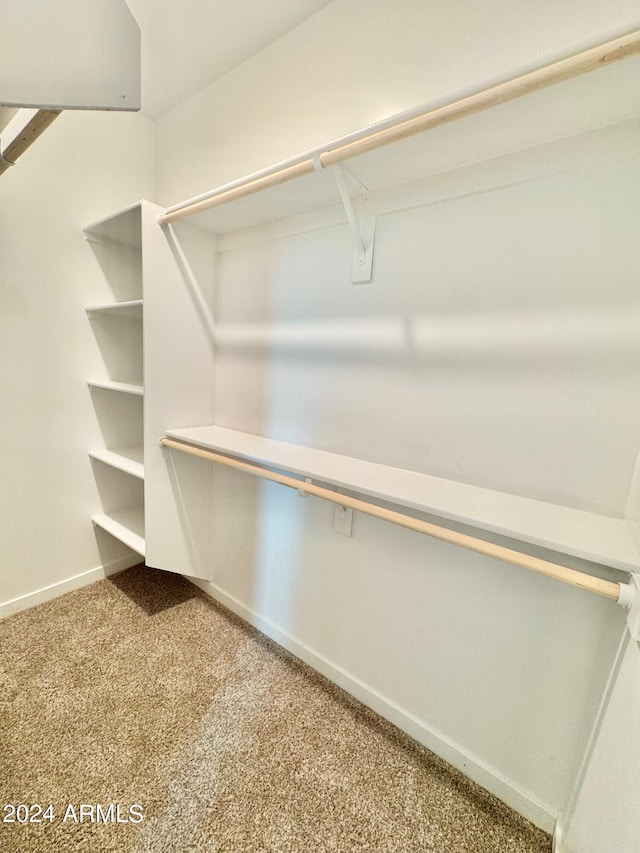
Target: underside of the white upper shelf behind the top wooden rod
[(604, 97)]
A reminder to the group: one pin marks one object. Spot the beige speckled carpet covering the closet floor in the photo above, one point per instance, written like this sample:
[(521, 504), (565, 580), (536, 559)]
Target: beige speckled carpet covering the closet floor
[(141, 690)]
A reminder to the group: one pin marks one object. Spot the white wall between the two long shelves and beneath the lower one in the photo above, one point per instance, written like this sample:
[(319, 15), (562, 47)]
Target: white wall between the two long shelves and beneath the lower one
[(501, 382)]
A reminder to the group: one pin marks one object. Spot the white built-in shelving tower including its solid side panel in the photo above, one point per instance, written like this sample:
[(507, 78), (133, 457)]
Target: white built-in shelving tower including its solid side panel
[(144, 267)]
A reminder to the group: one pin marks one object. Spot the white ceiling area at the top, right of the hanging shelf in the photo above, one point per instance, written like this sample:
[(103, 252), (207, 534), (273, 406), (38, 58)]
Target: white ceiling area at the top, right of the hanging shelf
[(188, 44)]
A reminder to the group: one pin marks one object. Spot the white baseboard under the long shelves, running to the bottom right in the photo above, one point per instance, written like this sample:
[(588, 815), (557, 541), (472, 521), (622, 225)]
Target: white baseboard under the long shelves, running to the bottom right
[(488, 777)]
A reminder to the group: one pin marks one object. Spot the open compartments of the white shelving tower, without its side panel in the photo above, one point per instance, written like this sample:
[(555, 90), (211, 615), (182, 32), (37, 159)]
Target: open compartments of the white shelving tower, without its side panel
[(117, 243)]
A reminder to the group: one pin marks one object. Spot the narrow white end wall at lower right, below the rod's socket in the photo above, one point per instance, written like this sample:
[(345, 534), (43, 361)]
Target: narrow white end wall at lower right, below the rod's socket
[(606, 816)]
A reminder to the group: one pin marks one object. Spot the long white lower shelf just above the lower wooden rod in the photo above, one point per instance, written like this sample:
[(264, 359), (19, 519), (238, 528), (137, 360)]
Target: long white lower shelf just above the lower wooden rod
[(600, 539)]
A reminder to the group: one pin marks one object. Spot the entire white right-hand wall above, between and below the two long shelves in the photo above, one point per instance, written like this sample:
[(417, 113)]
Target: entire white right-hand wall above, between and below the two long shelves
[(499, 672)]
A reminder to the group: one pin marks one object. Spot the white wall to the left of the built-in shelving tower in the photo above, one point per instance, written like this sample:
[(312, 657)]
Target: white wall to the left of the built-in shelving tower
[(82, 168)]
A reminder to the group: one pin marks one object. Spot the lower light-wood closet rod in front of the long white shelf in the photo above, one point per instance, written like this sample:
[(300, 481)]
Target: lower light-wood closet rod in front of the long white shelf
[(607, 589)]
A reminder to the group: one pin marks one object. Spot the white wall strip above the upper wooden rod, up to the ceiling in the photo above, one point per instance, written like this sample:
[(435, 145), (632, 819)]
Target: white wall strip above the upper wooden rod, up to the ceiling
[(357, 62)]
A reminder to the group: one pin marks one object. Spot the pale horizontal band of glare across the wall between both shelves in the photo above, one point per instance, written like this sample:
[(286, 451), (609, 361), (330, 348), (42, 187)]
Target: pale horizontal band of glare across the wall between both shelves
[(504, 341)]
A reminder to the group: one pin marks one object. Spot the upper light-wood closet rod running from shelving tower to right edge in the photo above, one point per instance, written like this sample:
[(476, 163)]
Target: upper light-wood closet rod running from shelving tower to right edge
[(377, 136)]
